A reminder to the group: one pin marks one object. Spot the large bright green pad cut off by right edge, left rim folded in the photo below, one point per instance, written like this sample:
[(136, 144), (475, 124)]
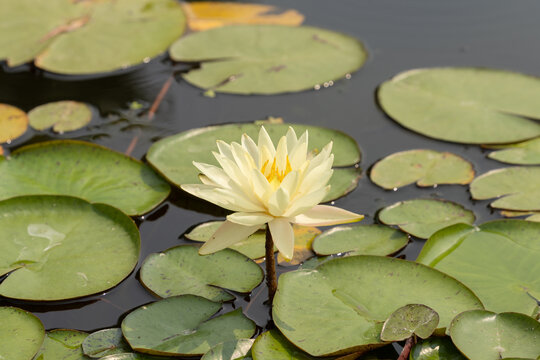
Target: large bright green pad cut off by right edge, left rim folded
[(497, 260)]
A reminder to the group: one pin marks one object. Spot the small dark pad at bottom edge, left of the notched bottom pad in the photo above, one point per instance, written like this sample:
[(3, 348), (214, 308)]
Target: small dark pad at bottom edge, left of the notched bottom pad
[(105, 342)]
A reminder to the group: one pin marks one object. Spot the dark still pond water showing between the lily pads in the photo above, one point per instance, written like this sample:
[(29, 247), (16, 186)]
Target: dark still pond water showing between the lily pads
[(399, 34)]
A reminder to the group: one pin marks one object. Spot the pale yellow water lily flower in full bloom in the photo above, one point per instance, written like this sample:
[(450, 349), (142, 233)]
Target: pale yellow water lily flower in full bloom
[(265, 185)]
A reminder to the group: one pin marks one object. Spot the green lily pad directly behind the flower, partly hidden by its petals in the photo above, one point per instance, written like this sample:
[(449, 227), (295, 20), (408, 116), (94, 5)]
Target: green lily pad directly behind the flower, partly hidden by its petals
[(173, 156)]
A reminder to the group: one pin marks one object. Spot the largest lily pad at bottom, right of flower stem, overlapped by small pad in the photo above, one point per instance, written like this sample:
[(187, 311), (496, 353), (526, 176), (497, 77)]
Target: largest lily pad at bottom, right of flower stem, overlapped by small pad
[(352, 296)]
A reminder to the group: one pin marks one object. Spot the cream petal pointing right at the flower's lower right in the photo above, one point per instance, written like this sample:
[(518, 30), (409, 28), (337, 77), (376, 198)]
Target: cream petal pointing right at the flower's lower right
[(324, 215)]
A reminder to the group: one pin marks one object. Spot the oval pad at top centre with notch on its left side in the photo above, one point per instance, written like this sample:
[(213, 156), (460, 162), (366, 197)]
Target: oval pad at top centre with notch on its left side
[(267, 59)]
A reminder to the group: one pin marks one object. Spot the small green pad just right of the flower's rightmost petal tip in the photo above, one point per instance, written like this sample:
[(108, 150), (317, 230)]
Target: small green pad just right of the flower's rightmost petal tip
[(423, 217)]
